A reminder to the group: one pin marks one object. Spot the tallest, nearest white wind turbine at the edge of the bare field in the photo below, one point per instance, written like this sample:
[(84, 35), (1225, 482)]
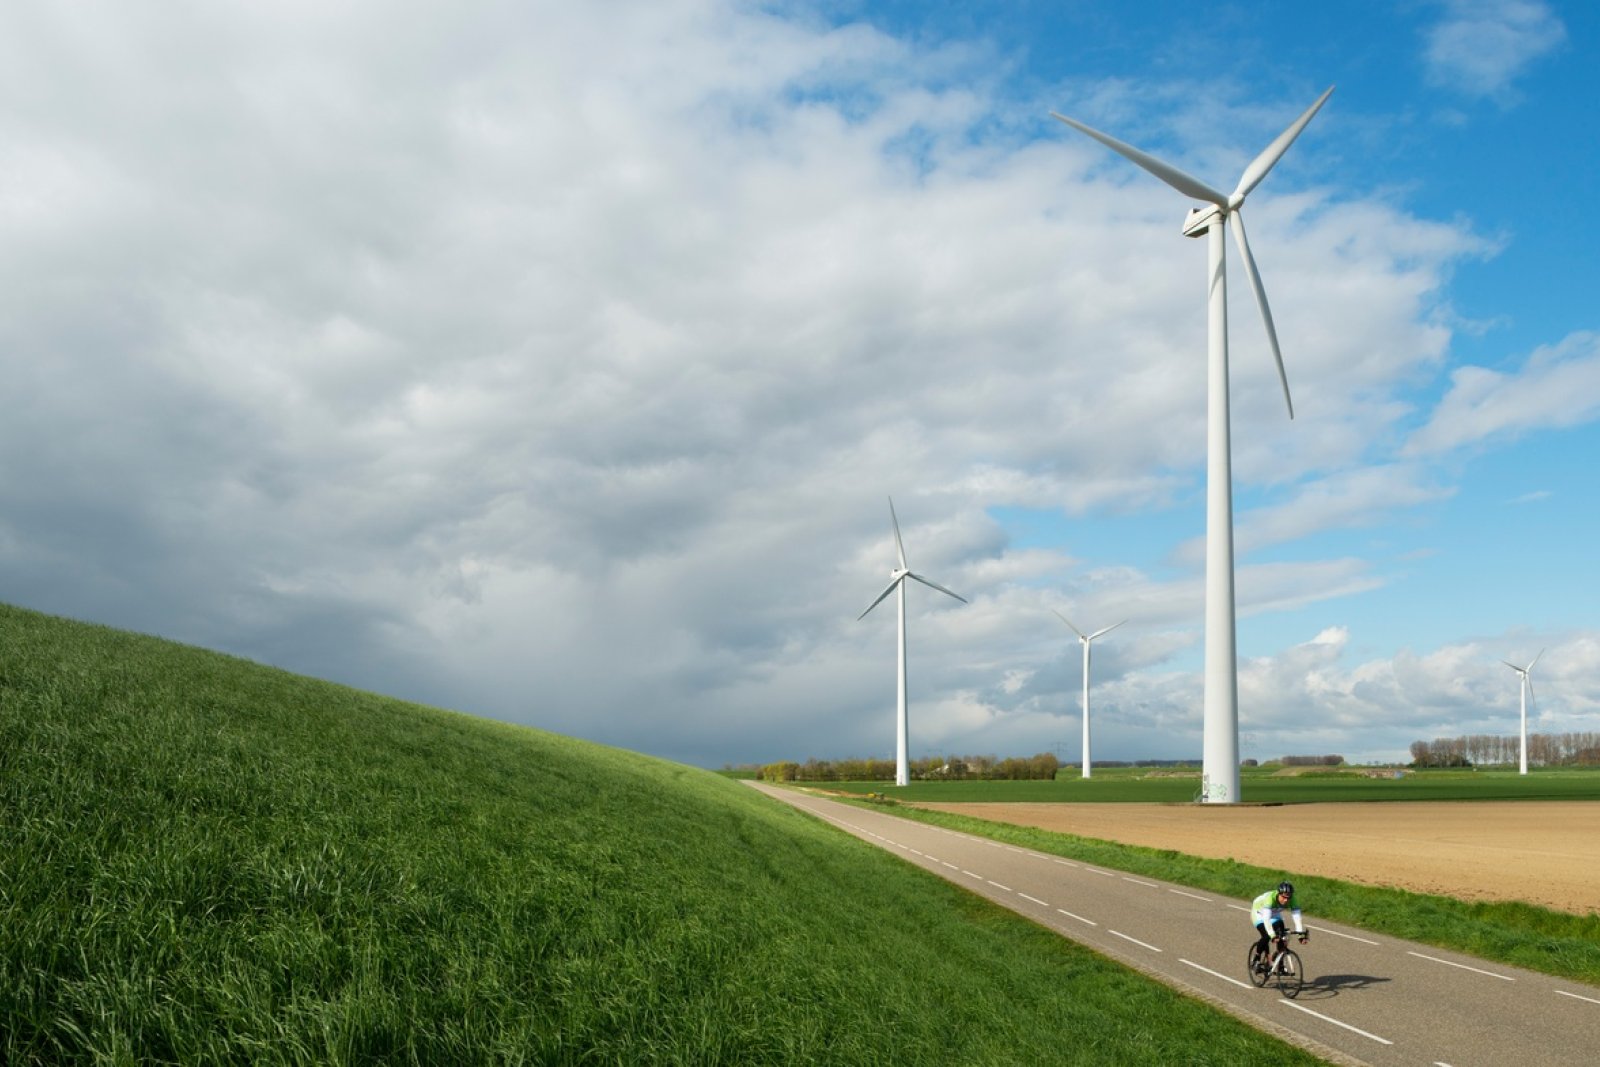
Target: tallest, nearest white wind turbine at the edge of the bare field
[(1220, 767)]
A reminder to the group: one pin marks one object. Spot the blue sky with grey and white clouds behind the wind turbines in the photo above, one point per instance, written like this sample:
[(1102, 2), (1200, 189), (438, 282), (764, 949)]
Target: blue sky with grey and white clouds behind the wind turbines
[(558, 362)]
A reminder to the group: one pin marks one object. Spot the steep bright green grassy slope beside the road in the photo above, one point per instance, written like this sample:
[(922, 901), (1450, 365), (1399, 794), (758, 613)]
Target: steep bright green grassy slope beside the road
[(209, 861)]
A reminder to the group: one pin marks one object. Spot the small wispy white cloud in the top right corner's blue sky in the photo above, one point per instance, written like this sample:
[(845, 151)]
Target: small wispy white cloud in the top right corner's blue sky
[(1481, 47)]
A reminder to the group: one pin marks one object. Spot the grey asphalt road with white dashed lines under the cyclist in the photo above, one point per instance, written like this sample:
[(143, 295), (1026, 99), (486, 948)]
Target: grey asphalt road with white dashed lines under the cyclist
[(1369, 999)]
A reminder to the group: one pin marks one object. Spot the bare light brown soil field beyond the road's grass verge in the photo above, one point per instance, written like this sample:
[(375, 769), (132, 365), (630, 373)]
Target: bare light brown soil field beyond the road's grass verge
[(1542, 853)]
